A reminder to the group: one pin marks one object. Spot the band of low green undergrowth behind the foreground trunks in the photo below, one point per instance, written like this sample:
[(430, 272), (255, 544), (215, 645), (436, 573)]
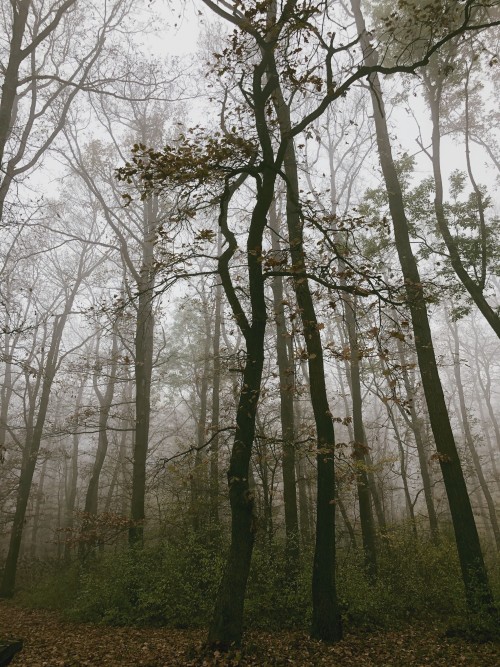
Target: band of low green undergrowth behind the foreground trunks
[(175, 584)]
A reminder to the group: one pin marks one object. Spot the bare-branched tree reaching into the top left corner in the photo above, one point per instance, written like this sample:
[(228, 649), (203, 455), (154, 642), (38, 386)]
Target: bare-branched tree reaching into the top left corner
[(44, 74)]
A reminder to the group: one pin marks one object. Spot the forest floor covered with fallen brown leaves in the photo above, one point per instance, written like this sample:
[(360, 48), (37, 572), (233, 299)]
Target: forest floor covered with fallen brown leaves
[(50, 641)]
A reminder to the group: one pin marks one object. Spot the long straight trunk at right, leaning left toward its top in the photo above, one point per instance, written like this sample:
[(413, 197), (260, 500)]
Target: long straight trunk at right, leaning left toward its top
[(478, 593)]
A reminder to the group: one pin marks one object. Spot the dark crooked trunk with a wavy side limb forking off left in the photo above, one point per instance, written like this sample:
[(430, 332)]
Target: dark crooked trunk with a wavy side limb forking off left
[(227, 622)]
